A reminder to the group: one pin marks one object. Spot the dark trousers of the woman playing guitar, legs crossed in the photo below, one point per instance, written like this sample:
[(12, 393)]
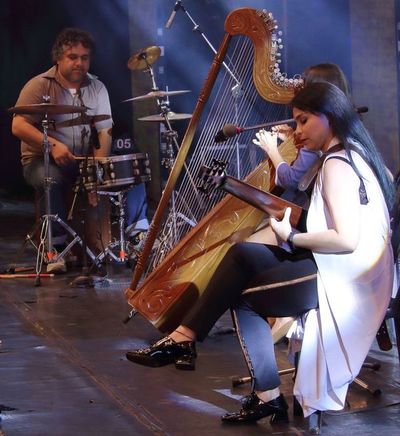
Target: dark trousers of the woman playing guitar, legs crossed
[(248, 265)]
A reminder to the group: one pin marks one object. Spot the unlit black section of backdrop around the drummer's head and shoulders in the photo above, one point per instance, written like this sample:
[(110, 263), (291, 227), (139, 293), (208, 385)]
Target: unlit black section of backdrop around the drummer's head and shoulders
[(27, 32)]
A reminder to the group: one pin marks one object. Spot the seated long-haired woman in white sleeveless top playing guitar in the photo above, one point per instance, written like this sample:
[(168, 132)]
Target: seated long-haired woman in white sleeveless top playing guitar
[(342, 277)]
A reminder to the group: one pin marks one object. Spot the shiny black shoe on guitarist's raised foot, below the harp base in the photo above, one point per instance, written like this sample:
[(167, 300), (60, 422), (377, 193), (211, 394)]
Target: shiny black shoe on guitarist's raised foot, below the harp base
[(165, 352)]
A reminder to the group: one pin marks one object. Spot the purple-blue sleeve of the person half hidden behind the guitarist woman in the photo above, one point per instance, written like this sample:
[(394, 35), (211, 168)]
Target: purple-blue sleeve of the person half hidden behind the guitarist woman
[(289, 176)]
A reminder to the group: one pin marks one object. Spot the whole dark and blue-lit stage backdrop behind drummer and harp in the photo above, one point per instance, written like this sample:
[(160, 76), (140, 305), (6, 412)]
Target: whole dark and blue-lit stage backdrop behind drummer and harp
[(313, 31)]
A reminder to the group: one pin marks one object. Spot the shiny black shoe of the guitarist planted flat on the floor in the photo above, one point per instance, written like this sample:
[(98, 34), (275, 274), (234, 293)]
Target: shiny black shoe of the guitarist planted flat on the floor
[(253, 409)]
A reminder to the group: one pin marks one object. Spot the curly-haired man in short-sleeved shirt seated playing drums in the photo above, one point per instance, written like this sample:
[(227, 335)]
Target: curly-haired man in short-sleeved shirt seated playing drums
[(68, 82)]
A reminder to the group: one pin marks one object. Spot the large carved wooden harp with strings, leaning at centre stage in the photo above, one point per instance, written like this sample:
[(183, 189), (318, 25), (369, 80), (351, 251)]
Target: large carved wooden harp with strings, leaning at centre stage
[(193, 241)]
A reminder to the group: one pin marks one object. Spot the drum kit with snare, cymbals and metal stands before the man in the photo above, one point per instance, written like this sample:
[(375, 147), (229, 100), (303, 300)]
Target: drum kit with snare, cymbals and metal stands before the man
[(111, 176)]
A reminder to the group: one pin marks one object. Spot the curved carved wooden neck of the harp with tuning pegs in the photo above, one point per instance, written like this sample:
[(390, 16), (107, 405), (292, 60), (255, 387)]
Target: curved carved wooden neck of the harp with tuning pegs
[(261, 28)]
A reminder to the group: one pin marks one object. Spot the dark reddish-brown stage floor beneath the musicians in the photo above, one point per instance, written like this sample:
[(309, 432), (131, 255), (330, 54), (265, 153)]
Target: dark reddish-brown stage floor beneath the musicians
[(63, 369)]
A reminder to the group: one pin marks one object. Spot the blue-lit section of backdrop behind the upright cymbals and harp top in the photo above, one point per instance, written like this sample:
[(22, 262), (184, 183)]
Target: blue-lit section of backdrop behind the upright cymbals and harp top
[(314, 31)]
